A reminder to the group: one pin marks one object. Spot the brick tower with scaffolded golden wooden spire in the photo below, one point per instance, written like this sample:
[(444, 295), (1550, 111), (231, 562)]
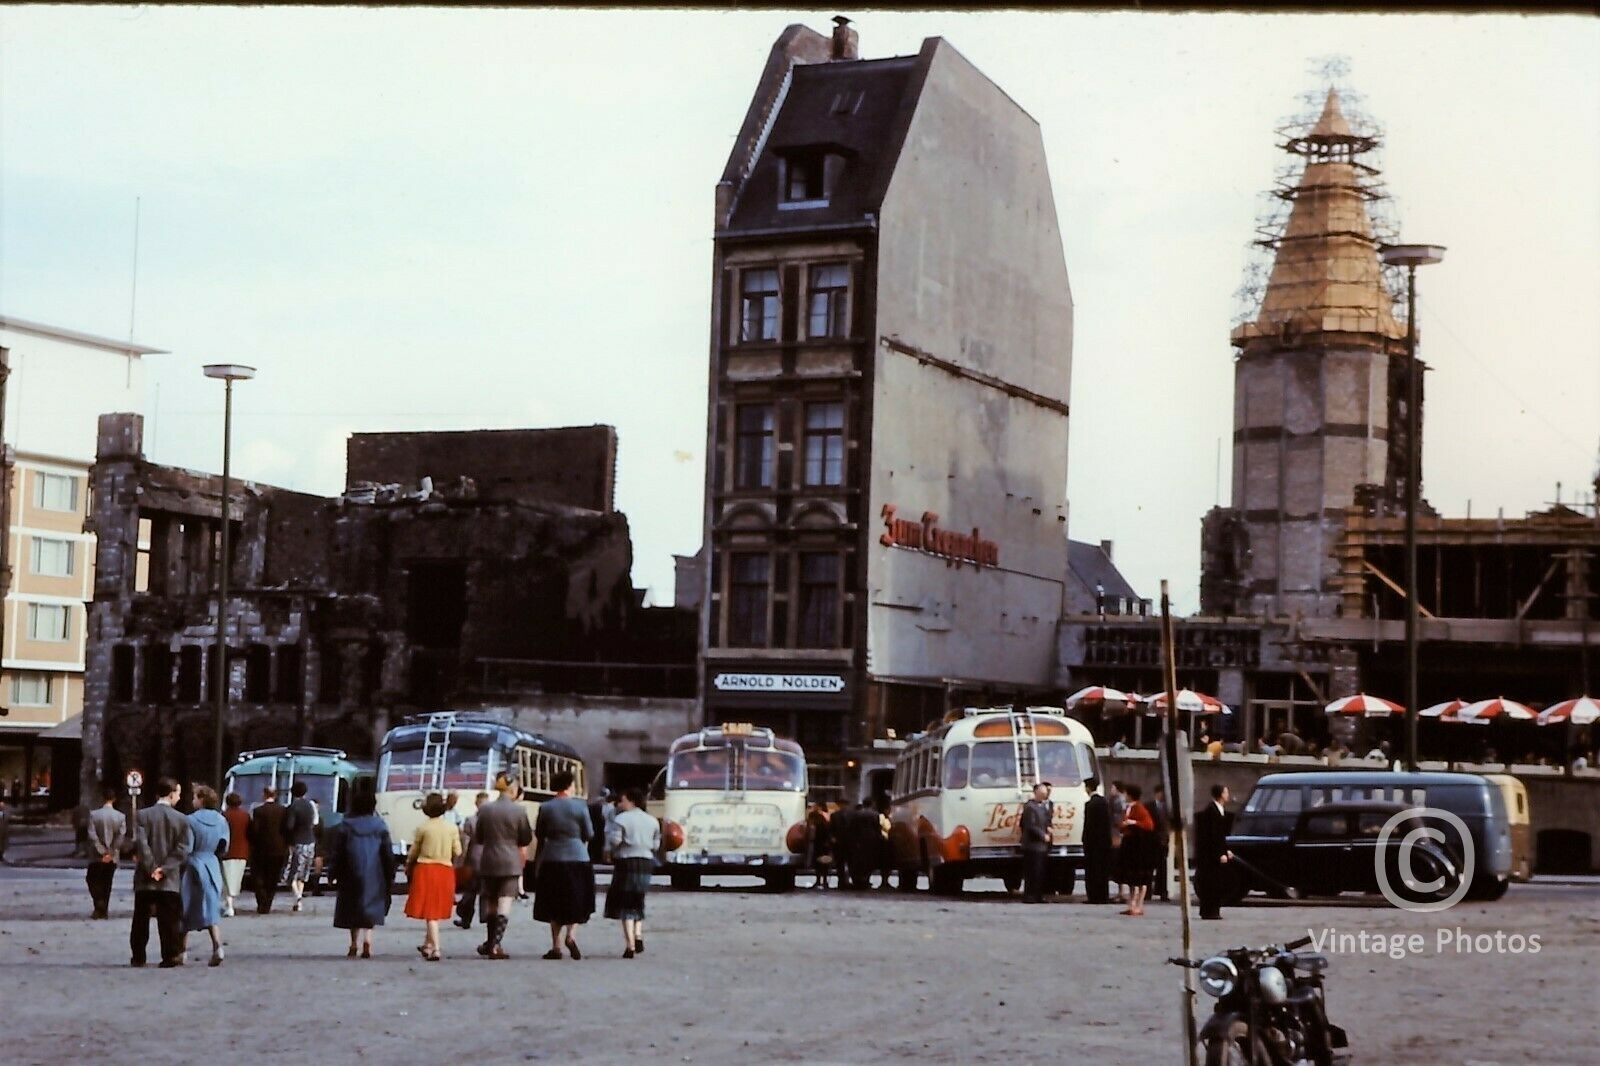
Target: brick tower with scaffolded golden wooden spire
[(1319, 388)]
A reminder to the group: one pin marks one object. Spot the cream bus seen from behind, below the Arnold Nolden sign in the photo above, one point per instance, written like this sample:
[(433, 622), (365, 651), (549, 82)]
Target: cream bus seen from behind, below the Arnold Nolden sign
[(732, 801)]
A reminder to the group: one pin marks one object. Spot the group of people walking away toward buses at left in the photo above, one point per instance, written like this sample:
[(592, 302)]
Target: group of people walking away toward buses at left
[(190, 868)]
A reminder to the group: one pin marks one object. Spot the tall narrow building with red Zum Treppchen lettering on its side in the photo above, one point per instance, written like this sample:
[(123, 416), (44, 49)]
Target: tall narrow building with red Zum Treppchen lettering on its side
[(890, 364)]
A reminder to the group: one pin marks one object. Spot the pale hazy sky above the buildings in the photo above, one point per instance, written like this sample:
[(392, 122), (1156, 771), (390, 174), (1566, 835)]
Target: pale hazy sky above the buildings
[(492, 218)]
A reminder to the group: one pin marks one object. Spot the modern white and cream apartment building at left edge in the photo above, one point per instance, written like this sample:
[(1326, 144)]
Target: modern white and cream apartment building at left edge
[(55, 387)]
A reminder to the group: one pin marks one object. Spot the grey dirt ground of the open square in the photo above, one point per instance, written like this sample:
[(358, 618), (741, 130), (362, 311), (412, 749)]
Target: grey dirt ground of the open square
[(735, 976)]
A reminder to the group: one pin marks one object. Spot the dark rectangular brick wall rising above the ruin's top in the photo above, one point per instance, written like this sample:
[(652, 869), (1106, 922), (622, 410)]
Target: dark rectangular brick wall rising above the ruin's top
[(572, 467)]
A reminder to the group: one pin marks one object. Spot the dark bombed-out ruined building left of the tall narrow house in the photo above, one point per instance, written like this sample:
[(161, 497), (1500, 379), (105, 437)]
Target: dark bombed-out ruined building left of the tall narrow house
[(449, 555)]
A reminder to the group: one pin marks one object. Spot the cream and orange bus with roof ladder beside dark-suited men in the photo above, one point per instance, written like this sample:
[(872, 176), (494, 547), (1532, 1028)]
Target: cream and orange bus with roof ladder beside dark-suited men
[(959, 793)]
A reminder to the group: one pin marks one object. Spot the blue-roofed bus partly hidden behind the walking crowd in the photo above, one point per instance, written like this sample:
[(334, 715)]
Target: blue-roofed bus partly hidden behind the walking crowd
[(450, 751)]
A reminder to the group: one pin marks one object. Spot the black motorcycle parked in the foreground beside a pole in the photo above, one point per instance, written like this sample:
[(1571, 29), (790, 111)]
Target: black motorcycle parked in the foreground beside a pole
[(1271, 1009)]
